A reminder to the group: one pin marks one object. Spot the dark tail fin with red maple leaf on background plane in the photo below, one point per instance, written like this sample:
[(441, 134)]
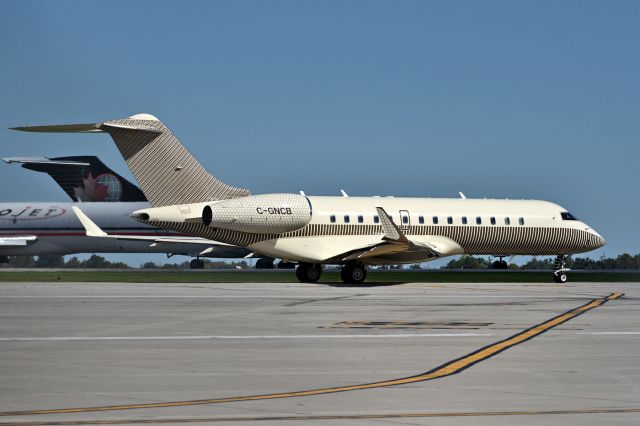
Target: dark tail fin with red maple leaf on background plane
[(84, 178)]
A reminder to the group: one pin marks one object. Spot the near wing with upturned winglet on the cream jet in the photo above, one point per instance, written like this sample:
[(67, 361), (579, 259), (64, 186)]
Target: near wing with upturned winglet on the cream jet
[(395, 245)]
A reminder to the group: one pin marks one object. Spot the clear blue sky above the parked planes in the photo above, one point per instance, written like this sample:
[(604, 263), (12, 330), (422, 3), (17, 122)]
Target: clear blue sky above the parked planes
[(415, 98)]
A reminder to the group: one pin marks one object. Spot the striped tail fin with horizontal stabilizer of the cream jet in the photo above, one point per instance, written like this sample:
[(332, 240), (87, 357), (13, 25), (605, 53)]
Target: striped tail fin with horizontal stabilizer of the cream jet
[(167, 173)]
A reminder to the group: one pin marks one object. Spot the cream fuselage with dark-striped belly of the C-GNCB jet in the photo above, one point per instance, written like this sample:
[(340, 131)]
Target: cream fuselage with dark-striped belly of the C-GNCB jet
[(325, 229)]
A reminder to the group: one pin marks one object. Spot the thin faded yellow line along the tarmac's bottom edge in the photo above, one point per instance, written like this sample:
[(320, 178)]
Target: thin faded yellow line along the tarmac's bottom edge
[(627, 410)]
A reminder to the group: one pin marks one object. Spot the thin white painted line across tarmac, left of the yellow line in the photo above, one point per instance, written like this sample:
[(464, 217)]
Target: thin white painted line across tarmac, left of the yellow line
[(284, 336)]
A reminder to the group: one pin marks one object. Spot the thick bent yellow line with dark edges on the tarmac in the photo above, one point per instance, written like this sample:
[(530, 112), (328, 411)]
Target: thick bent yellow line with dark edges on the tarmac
[(447, 369)]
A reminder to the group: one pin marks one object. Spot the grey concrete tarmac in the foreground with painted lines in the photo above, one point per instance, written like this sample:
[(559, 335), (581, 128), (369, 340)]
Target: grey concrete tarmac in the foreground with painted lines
[(84, 345)]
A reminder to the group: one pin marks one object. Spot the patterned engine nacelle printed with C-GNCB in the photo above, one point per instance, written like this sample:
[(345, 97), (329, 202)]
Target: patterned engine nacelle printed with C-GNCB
[(259, 214)]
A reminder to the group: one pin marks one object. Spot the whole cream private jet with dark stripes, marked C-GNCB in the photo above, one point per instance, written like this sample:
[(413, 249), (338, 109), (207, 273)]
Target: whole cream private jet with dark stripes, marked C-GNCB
[(315, 231)]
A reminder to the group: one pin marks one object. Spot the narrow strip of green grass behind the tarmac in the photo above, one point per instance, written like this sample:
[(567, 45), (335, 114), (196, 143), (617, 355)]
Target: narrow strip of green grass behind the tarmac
[(289, 276)]
